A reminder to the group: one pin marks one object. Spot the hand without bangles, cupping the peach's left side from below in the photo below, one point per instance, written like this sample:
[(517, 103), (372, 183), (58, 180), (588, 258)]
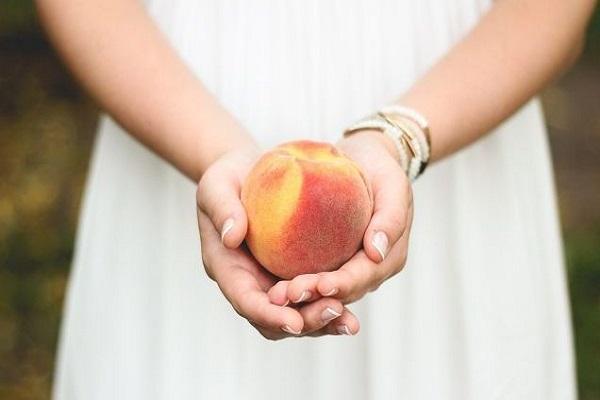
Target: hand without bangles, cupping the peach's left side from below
[(244, 282)]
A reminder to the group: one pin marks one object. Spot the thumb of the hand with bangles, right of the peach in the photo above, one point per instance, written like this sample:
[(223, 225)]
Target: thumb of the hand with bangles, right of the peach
[(392, 198)]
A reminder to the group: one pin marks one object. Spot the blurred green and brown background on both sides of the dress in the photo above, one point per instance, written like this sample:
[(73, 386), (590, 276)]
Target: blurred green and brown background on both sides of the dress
[(46, 132)]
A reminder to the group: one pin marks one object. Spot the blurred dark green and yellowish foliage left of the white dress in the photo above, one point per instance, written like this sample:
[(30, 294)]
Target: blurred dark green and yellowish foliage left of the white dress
[(46, 132)]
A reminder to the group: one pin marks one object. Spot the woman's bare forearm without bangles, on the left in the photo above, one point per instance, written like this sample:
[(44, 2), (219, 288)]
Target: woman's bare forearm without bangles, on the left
[(119, 55)]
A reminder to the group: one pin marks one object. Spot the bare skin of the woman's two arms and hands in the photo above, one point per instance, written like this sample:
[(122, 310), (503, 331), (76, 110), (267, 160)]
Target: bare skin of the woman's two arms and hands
[(146, 87)]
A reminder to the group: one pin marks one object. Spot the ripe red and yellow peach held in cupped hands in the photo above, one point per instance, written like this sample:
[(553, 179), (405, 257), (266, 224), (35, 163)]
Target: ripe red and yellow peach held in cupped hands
[(308, 207)]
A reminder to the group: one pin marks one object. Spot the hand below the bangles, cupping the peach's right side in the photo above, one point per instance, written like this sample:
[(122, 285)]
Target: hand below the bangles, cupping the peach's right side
[(385, 242)]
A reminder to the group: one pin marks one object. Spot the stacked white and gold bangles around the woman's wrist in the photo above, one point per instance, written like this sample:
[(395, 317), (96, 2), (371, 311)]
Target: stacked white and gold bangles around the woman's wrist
[(408, 130)]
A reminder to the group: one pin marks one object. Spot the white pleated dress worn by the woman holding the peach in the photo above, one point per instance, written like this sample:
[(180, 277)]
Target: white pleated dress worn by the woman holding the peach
[(481, 310)]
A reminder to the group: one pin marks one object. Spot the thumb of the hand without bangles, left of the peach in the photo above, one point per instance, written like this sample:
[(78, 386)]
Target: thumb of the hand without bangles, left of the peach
[(218, 195)]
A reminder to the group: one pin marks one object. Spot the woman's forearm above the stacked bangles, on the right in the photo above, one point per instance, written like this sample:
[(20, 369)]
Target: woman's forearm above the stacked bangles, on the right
[(516, 49)]
